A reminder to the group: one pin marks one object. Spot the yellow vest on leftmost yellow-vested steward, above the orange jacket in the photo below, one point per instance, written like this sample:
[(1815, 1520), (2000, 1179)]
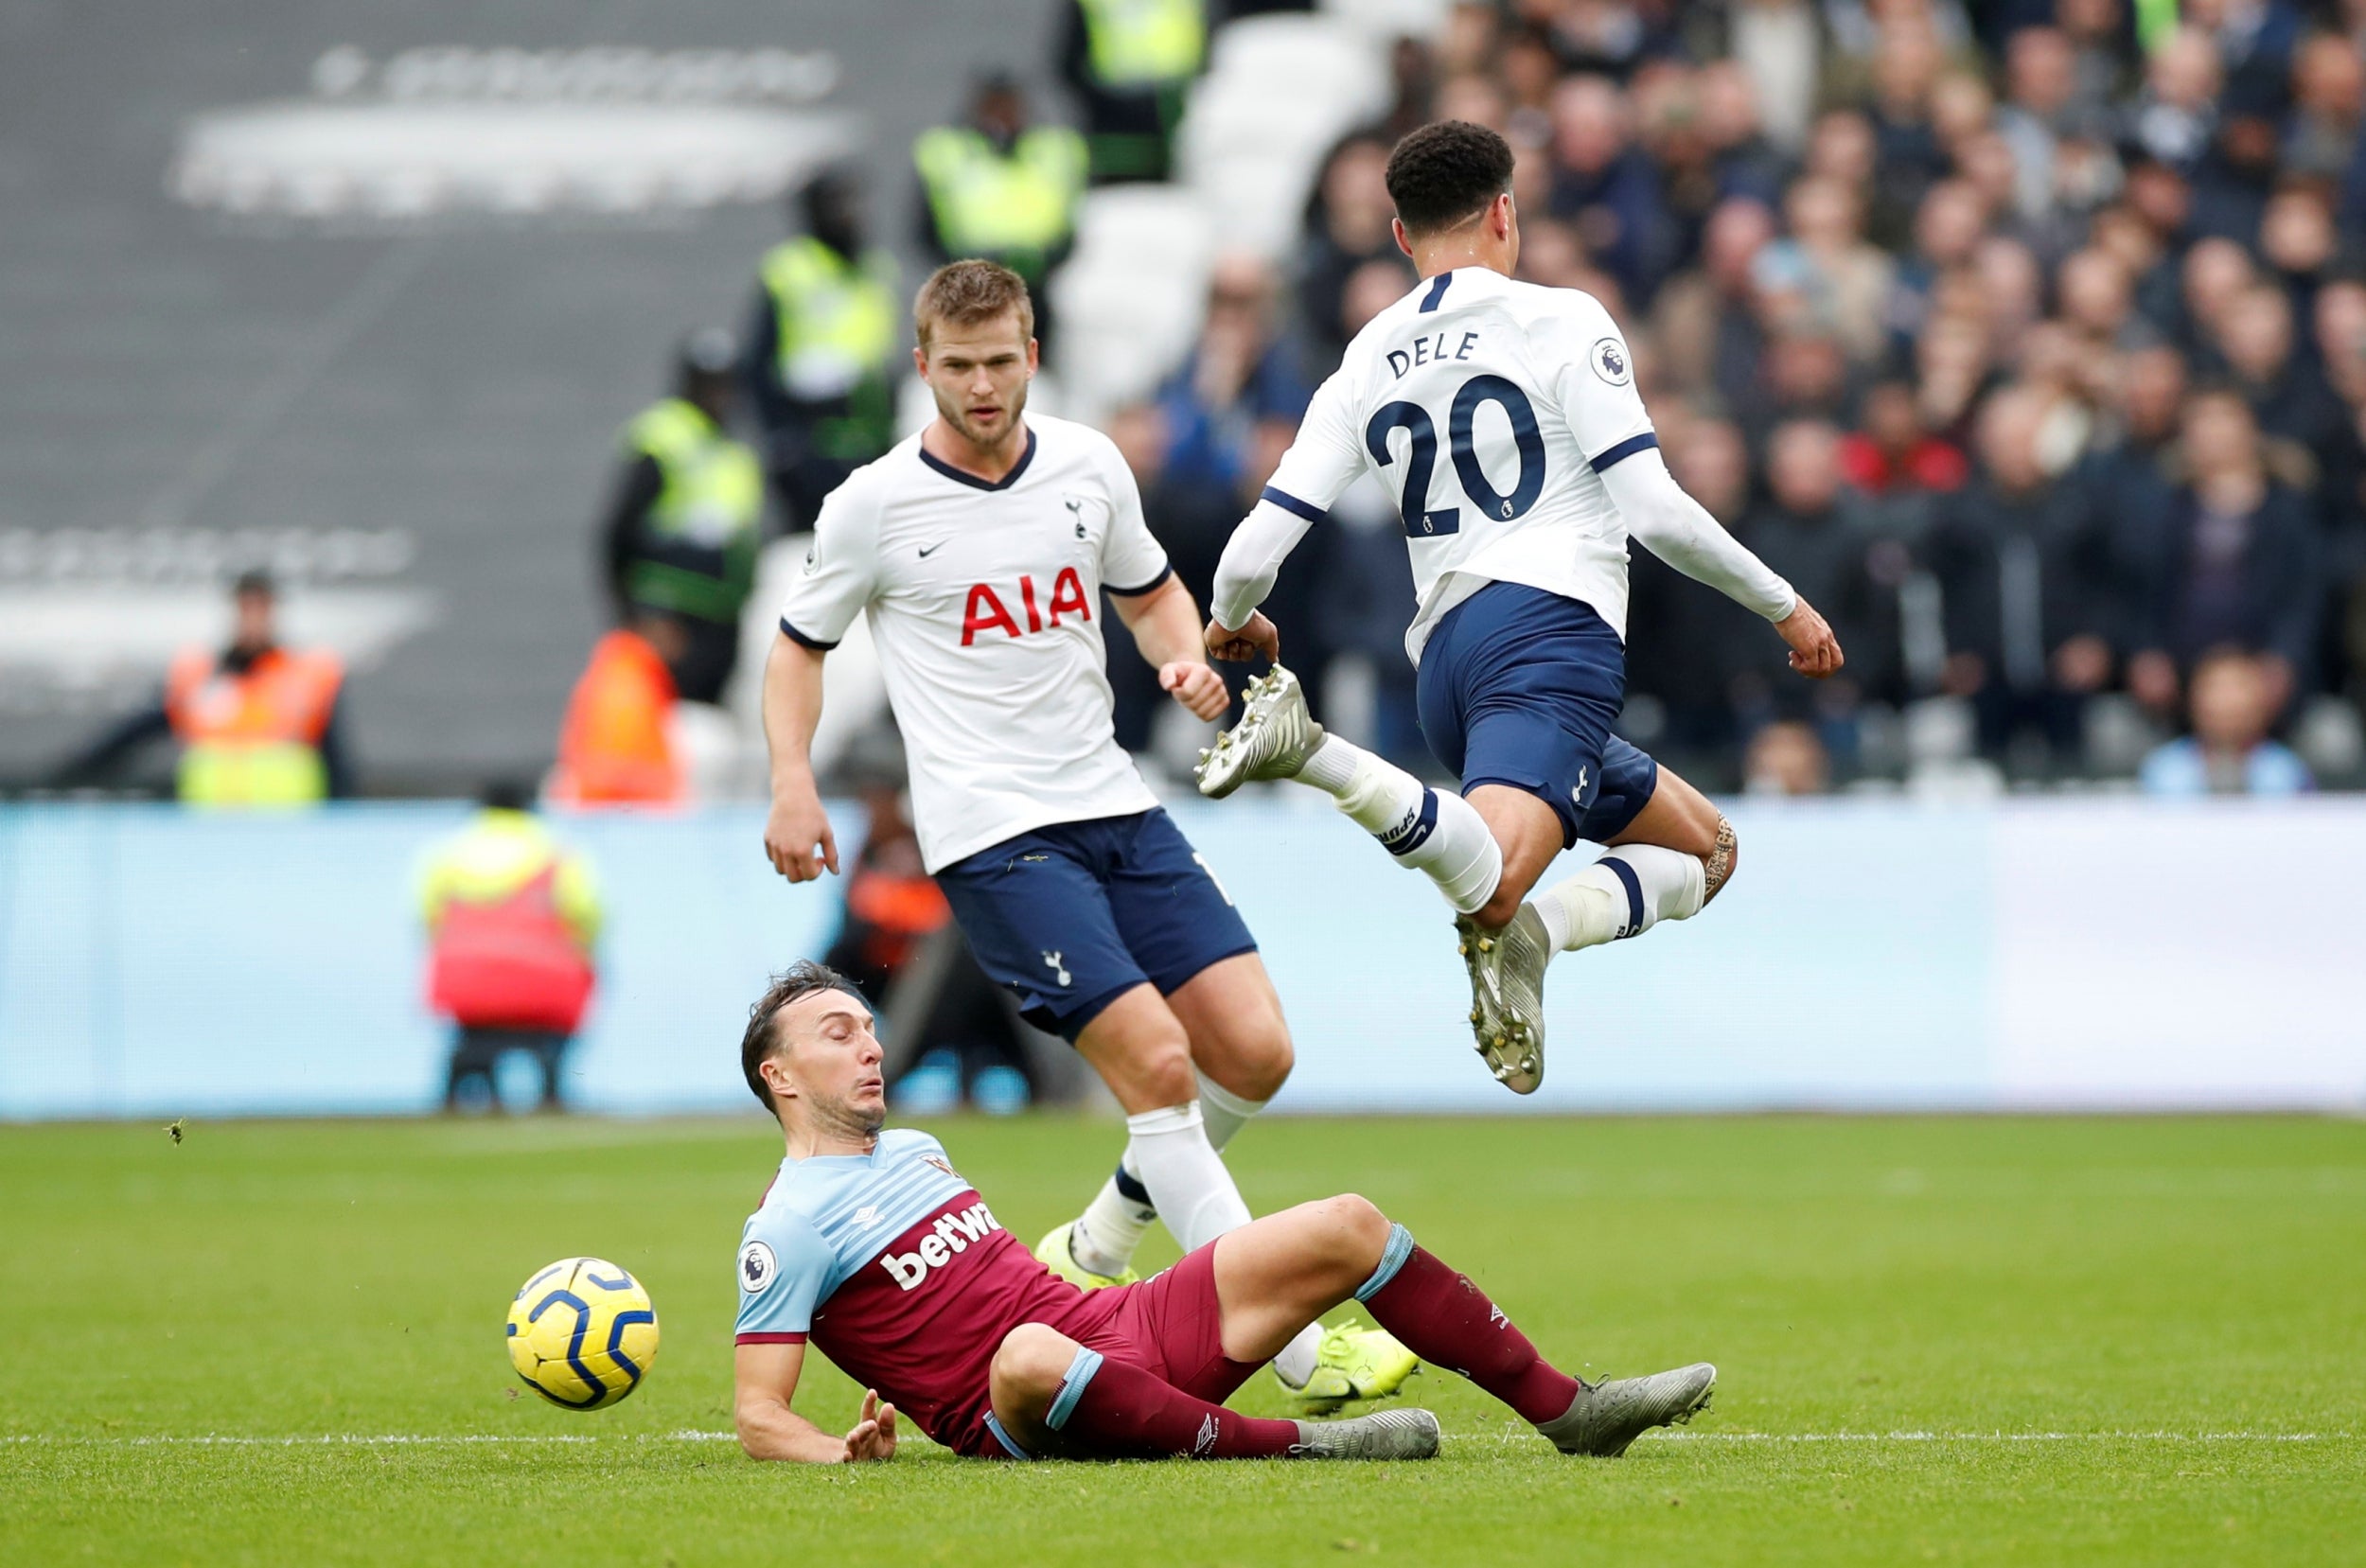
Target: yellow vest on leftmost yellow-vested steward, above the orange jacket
[(699, 540)]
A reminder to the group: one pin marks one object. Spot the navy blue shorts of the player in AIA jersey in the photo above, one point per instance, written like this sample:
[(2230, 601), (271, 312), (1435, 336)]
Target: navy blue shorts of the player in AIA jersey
[(1078, 914)]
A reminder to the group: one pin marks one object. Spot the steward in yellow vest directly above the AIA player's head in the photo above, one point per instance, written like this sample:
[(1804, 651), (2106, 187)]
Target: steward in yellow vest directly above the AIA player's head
[(1004, 190)]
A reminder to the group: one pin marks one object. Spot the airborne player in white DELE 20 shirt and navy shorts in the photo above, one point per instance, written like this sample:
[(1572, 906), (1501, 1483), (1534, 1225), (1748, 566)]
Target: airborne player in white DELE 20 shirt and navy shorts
[(1506, 420)]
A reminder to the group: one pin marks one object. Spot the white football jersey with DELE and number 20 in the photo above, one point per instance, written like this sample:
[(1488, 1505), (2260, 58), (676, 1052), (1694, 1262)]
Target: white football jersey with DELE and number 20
[(1489, 410)]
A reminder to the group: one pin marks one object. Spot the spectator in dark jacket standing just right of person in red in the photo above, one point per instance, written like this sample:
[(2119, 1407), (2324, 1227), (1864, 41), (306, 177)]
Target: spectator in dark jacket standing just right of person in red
[(2019, 569)]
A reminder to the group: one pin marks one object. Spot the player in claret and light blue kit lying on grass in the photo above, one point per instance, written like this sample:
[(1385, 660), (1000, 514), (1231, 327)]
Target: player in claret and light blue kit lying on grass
[(872, 1248)]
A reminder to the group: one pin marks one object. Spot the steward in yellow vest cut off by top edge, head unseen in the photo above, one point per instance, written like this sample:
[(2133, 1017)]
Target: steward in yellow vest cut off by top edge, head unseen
[(1132, 65)]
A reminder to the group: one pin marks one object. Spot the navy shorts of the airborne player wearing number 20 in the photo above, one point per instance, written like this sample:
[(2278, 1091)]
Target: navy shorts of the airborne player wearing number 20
[(1520, 687)]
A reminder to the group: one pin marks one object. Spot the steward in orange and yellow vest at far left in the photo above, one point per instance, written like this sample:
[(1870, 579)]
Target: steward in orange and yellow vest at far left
[(257, 723)]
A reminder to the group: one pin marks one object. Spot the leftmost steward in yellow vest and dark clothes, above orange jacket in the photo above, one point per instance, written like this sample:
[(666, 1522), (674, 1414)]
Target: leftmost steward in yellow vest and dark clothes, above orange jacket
[(687, 519)]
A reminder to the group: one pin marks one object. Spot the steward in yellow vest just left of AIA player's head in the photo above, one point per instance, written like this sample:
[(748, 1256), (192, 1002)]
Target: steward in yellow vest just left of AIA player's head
[(820, 354)]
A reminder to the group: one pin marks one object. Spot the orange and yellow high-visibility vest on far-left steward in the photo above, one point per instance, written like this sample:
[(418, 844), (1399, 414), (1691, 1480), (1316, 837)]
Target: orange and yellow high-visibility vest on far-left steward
[(252, 739)]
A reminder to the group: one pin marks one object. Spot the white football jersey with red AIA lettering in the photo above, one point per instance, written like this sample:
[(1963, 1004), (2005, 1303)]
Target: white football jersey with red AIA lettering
[(985, 609)]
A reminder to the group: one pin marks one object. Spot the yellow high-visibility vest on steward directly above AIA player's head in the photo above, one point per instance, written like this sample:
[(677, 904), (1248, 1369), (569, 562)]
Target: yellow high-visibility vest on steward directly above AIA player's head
[(1014, 209)]
